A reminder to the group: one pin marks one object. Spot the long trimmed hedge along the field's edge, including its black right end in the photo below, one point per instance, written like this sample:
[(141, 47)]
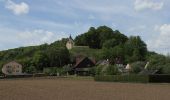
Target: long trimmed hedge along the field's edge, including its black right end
[(134, 78)]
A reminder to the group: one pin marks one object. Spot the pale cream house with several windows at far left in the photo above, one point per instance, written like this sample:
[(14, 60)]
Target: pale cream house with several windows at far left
[(12, 68)]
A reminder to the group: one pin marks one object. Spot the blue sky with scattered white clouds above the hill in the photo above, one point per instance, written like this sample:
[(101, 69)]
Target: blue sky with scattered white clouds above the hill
[(34, 22)]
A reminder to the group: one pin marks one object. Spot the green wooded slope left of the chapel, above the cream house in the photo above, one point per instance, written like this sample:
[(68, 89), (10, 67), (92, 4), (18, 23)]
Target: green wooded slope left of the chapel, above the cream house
[(35, 58)]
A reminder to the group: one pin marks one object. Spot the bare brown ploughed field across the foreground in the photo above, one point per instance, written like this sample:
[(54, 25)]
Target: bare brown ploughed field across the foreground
[(67, 89)]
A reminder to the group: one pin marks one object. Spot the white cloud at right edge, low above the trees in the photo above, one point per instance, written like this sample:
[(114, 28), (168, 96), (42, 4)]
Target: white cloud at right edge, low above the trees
[(161, 41)]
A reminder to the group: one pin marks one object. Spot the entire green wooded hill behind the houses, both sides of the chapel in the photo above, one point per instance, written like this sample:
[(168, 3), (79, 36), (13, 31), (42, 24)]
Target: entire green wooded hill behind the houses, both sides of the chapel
[(102, 42)]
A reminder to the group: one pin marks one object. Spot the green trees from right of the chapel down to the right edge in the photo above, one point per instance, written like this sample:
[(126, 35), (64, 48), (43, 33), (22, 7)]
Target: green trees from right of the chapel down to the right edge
[(118, 48)]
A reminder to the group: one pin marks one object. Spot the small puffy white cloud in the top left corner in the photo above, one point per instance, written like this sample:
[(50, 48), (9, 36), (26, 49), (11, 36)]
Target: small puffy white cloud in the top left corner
[(17, 9)]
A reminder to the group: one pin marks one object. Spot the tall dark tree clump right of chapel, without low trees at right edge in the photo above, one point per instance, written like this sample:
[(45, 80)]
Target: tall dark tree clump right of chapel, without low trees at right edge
[(114, 45)]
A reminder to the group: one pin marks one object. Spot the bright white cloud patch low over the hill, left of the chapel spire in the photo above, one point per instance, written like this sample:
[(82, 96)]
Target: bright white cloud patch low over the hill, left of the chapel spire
[(37, 37)]
